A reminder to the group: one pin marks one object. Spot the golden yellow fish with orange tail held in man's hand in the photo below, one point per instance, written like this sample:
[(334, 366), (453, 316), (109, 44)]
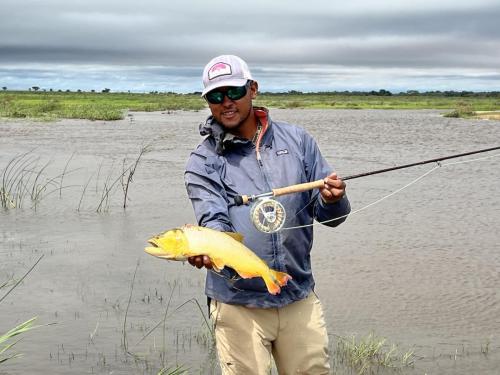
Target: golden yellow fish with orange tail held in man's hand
[(223, 249)]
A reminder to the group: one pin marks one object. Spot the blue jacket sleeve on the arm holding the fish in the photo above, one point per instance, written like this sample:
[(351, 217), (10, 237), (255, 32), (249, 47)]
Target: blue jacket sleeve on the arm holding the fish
[(206, 192)]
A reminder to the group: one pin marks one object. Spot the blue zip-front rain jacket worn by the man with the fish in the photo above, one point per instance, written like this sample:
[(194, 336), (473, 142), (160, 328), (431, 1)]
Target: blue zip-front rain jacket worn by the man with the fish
[(224, 166)]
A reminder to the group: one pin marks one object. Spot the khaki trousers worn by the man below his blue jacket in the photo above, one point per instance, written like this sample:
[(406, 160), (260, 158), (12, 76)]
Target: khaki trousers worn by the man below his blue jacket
[(295, 335)]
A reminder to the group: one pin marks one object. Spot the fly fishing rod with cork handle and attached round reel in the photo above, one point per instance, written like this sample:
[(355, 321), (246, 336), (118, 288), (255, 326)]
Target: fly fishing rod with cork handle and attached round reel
[(268, 215)]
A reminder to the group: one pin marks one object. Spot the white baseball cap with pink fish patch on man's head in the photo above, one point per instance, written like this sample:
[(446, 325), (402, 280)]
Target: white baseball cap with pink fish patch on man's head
[(225, 70)]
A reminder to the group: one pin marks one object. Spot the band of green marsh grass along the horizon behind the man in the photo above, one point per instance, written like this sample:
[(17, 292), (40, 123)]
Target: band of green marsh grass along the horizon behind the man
[(113, 106)]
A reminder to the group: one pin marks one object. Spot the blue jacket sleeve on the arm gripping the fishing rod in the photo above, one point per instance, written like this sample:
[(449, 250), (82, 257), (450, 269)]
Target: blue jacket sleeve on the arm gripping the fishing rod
[(330, 214)]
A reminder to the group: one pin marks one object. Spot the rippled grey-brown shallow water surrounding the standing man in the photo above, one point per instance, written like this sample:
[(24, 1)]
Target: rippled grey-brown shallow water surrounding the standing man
[(421, 268)]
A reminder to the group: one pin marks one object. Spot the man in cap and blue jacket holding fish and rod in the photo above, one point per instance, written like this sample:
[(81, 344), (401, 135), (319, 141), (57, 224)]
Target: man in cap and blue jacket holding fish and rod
[(245, 152)]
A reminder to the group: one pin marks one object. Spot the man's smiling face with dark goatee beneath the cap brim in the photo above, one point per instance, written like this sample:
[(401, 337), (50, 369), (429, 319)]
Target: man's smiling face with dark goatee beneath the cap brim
[(233, 113)]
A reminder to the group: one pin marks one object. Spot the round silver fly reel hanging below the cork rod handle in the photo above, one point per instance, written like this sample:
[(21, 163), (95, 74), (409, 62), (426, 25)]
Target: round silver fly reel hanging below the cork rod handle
[(268, 215)]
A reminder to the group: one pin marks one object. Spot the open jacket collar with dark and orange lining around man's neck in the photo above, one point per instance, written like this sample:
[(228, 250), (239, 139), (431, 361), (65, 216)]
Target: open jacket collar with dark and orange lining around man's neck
[(224, 141)]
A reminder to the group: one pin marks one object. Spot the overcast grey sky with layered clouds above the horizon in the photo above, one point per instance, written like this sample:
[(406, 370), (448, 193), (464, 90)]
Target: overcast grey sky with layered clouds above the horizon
[(161, 45)]
